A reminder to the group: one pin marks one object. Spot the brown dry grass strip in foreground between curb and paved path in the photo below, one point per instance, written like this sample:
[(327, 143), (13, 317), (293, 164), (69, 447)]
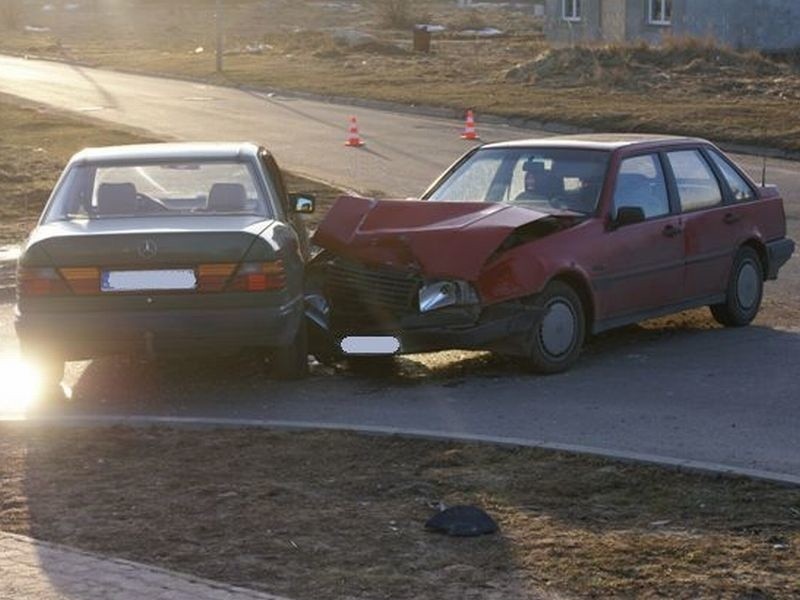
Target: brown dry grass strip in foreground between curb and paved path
[(261, 510)]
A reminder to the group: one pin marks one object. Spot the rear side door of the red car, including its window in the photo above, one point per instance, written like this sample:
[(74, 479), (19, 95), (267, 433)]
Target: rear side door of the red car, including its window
[(710, 224)]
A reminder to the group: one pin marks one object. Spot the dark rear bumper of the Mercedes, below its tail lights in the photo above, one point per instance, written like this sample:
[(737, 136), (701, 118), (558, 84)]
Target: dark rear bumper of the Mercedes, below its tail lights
[(77, 336)]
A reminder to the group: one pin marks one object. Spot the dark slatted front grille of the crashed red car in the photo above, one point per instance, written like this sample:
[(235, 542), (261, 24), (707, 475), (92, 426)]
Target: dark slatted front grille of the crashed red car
[(366, 298)]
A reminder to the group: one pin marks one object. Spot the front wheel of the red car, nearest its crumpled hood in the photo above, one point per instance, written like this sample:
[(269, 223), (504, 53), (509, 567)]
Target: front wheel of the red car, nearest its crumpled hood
[(557, 338)]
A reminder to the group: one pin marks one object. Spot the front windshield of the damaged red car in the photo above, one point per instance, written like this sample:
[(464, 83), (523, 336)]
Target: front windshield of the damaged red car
[(540, 178)]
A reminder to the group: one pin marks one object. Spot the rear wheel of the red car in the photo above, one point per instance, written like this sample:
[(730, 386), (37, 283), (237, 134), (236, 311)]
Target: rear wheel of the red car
[(744, 292)]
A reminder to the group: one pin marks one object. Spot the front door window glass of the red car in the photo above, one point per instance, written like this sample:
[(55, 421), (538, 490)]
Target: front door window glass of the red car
[(640, 183)]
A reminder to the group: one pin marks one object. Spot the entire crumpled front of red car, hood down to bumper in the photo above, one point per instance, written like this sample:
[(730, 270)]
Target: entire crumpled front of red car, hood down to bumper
[(408, 271)]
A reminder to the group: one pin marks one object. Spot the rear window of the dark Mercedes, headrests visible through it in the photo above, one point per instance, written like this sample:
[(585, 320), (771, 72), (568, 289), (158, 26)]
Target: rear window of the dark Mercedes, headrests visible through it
[(187, 188)]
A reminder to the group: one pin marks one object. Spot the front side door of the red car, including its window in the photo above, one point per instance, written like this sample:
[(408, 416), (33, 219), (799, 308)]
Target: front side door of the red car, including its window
[(641, 265)]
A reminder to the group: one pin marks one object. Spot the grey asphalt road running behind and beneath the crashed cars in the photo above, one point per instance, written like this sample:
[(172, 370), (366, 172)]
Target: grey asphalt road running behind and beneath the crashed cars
[(726, 397)]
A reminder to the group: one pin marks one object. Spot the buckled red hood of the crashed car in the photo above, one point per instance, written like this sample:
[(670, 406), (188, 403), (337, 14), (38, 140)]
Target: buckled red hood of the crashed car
[(442, 239)]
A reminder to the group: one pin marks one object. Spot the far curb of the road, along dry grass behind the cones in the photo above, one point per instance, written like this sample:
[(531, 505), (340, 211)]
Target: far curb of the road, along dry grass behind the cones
[(411, 109)]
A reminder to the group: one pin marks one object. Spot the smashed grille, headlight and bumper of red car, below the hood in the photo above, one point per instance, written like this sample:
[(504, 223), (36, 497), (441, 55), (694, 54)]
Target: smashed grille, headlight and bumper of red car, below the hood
[(356, 301)]
